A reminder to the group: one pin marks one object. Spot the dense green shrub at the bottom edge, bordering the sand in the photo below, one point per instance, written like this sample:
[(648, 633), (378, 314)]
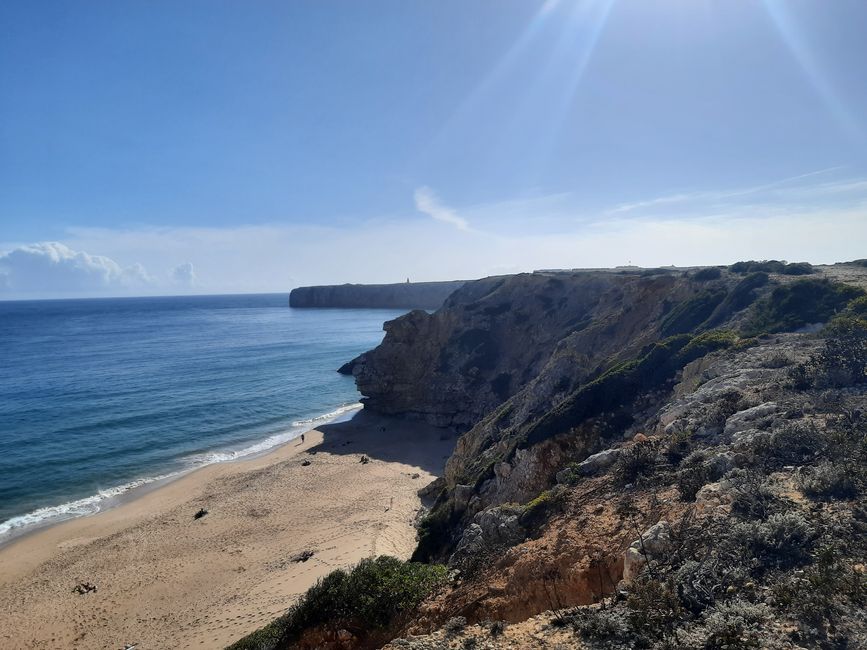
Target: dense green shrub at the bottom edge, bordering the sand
[(374, 594)]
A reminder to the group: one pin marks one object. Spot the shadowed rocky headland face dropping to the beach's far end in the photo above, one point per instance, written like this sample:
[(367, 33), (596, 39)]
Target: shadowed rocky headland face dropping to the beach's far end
[(537, 334)]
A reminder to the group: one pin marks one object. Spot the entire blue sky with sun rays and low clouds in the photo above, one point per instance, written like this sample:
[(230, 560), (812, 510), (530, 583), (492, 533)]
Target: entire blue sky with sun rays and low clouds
[(253, 146)]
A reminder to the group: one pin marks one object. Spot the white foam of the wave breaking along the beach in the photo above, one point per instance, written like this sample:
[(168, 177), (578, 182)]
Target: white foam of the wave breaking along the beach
[(93, 504)]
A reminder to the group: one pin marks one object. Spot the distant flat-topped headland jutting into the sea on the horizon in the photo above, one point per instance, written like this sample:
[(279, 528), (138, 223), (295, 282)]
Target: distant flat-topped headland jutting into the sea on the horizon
[(416, 295)]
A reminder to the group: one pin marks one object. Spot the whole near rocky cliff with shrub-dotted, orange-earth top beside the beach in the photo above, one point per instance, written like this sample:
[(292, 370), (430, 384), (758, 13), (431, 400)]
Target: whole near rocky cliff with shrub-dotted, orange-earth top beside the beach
[(647, 458)]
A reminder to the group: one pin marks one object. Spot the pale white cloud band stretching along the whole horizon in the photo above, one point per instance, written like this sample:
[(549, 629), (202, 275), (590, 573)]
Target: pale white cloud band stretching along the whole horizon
[(820, 223)]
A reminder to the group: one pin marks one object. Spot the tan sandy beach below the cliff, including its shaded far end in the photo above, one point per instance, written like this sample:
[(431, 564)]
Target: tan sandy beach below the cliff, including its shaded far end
[(167, 580)]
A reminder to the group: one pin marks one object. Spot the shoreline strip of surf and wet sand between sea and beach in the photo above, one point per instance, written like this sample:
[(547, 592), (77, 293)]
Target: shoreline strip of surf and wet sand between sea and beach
[(137, 487)]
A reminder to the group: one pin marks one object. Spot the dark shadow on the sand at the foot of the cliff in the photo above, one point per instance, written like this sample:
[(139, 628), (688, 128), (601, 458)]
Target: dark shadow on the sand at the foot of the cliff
[(389, 439)]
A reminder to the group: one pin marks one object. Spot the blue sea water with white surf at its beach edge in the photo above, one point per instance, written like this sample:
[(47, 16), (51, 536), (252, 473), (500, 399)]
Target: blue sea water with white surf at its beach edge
[(99, 396)]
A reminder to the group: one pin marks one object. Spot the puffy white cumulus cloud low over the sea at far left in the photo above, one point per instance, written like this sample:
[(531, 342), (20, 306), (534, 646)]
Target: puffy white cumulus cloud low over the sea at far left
[(54, 268)]
